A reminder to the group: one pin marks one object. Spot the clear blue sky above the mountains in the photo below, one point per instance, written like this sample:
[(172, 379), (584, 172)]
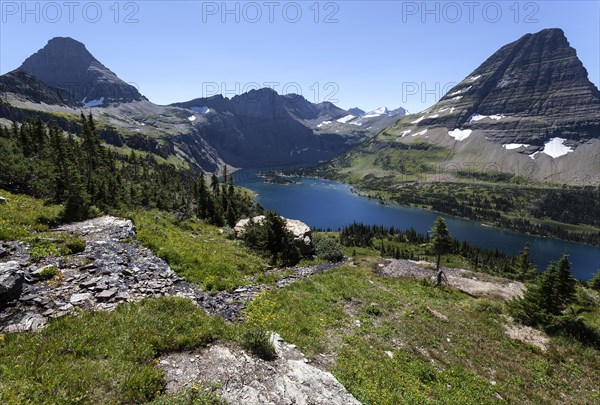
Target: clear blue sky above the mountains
[(369, 53)]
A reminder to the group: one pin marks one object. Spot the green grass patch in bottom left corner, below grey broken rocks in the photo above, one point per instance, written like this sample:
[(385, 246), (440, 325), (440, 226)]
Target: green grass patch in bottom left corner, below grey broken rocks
[(101, 357)]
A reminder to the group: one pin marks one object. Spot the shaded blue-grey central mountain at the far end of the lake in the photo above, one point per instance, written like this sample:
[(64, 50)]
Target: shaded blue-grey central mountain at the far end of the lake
[(262, 127)]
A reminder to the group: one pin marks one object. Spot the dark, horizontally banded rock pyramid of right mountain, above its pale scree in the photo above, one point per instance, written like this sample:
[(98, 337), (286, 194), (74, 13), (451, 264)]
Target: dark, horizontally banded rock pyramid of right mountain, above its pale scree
[(528, 92)]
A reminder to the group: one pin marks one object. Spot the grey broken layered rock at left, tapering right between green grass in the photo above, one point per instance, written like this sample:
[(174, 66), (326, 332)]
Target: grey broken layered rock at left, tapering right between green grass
[(113, 268)]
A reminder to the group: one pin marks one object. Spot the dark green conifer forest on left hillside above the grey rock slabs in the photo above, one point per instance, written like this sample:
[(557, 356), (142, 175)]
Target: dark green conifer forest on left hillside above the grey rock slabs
[(88, 177)]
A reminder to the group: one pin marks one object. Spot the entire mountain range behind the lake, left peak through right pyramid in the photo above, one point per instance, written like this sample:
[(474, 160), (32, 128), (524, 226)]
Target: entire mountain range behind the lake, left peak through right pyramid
[(529, 110)]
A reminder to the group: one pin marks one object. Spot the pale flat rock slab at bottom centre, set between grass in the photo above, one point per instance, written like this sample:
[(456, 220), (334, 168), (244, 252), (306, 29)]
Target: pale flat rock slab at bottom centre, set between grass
[(244, 379)]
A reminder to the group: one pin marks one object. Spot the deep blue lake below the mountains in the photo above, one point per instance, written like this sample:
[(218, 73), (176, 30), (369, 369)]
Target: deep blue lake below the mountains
[(329, 204)]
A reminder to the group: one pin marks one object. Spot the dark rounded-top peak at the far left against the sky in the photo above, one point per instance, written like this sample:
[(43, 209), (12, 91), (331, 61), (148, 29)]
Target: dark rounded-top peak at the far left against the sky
[(66, 63)]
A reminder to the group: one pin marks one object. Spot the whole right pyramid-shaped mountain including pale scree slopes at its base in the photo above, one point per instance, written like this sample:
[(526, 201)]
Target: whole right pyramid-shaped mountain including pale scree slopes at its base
[(529, 110)]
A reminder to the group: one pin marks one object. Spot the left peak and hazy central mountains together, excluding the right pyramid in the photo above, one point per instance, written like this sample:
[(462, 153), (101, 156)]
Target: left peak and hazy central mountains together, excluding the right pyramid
[(257, 128)]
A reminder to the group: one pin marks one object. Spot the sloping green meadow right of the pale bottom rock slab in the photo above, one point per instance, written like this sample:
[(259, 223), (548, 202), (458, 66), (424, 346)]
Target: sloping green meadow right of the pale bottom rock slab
[(382, 340)]
